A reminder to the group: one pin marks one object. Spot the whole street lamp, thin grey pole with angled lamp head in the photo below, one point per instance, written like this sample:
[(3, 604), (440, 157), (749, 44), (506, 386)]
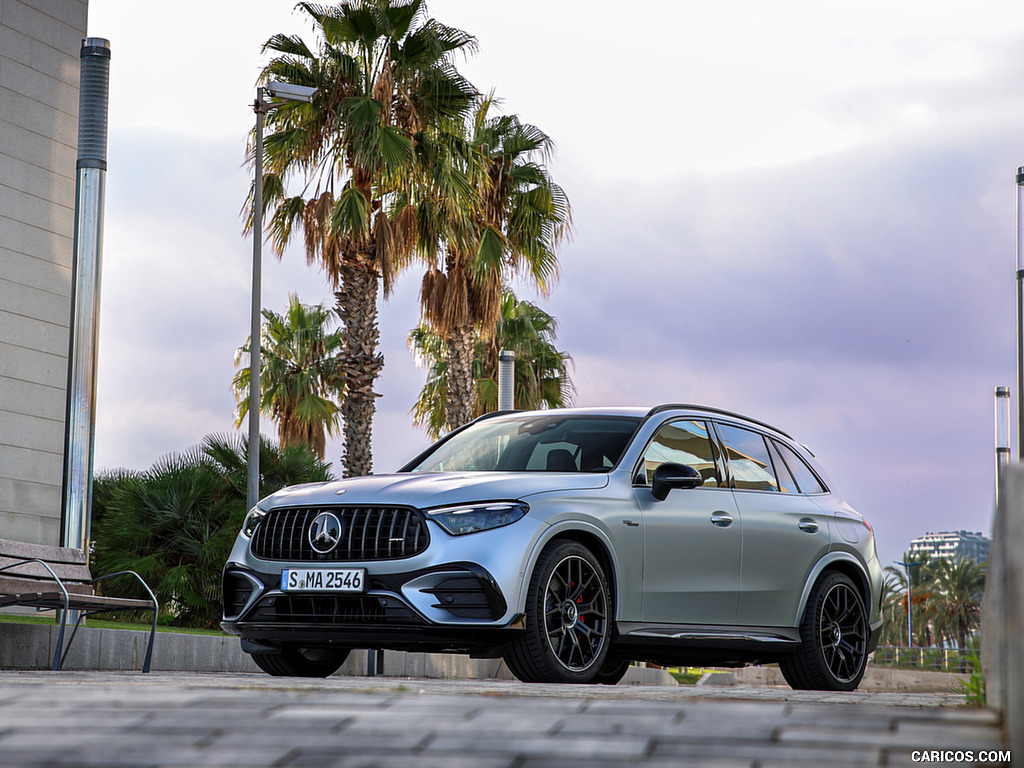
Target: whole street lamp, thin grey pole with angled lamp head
[(282, 94)]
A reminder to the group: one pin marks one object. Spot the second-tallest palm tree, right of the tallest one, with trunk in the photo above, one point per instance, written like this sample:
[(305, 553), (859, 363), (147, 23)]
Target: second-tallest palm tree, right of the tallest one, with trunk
[(519, 218)]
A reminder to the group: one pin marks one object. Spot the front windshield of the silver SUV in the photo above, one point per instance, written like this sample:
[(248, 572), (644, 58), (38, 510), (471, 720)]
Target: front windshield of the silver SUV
[(534, 444)]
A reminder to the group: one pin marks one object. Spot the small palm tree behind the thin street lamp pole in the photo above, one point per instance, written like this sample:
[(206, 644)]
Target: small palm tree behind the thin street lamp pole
[(302, 376)]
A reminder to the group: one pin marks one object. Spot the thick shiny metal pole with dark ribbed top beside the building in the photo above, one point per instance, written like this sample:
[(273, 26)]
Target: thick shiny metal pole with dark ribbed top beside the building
[(91, 183)]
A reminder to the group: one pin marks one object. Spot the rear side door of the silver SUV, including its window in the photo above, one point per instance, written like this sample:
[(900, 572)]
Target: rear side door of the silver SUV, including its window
[(785, 532)]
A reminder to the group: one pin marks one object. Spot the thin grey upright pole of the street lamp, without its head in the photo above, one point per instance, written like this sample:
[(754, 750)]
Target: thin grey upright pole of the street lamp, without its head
[(252, 487)]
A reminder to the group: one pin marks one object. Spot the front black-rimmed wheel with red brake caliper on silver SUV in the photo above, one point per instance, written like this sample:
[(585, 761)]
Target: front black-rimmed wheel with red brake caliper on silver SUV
[(569, 626)]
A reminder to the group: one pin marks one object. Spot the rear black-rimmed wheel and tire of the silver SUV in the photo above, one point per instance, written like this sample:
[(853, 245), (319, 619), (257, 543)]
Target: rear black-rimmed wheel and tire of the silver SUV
[(834, 636)]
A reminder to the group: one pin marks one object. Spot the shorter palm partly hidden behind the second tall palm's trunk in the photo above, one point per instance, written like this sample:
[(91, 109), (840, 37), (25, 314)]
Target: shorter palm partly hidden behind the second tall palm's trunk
[(542, 378)]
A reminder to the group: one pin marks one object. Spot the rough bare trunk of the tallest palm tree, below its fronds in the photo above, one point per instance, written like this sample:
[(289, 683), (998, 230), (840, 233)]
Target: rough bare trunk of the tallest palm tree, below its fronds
[(362, 364)]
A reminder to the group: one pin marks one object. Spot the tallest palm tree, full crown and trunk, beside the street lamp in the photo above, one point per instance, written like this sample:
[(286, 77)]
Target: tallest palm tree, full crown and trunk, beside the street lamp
[(386, 75)]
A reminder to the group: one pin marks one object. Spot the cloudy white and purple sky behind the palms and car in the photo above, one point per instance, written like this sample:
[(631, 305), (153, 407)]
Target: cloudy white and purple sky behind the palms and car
[(803, 211)]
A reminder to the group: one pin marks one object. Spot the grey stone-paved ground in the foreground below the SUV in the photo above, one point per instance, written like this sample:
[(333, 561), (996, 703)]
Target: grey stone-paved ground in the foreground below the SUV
[(172, 720)]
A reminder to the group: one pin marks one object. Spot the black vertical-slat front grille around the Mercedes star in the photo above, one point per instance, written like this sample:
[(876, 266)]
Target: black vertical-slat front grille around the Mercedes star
[(367, 534)]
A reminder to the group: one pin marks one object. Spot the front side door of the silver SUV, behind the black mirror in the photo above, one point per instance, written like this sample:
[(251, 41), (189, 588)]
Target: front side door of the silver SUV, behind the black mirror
[(693, 539)]
